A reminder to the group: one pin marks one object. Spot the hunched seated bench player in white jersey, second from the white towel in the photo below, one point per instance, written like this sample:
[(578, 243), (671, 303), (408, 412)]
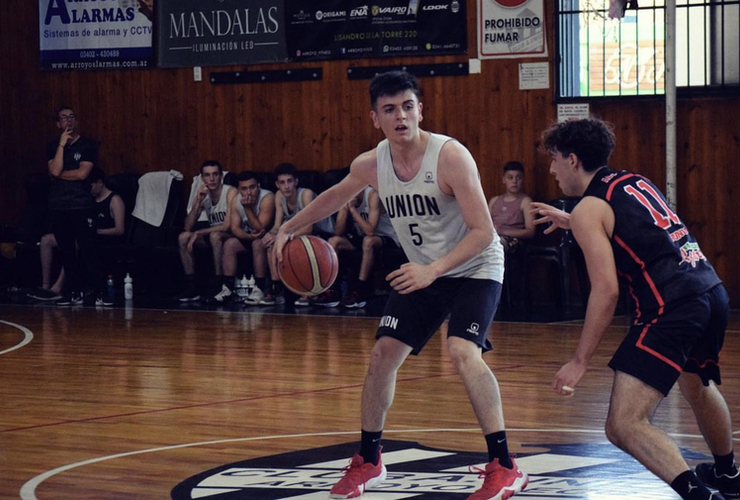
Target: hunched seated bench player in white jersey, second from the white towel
[(252, 214)]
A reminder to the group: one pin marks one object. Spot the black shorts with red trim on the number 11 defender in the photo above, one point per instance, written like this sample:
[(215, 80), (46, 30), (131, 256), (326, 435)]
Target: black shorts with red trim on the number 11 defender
[(688, 337)]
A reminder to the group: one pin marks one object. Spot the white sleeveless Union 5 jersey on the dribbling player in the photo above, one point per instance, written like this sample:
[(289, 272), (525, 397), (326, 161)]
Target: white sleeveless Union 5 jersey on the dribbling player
[(428, 222)]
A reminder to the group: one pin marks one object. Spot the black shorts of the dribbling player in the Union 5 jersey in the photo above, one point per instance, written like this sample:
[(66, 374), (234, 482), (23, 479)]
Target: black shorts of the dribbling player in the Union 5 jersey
[(414, 318)]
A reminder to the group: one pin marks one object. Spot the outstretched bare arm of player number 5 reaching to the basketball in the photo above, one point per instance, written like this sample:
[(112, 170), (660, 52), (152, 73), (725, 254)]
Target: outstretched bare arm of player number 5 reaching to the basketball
[(363, 172)]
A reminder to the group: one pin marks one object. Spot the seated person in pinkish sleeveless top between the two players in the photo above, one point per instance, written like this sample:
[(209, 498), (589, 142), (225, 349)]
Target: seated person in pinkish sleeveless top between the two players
[(511, 211)]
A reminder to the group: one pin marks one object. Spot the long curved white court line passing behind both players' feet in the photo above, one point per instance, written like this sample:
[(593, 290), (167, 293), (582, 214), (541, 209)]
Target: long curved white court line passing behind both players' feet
[(28, 490)]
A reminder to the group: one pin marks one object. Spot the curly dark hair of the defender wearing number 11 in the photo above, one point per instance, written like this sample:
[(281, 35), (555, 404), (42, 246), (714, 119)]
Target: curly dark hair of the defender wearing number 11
[(590, 139)]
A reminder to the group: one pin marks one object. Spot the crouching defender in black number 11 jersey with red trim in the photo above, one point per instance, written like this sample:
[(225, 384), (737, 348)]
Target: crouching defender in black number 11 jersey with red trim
[(625, 227)]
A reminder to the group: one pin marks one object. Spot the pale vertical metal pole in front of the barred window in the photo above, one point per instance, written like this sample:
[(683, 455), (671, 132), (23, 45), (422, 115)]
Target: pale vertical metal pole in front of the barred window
[(670, 101)]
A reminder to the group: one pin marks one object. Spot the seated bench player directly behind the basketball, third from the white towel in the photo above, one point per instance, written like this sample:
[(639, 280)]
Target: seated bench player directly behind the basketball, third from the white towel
[(289, 200)]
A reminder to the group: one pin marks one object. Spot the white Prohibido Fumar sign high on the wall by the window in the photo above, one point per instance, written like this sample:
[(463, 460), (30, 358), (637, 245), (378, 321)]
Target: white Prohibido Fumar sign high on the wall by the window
[(511, 28)]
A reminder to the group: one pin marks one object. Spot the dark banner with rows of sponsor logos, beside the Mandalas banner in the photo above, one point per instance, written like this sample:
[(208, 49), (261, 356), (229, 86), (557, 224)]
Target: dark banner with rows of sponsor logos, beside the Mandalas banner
[(344, 29)]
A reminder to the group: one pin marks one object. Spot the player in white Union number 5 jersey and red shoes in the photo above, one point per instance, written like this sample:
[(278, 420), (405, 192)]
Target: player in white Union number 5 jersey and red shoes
[(430, 187)]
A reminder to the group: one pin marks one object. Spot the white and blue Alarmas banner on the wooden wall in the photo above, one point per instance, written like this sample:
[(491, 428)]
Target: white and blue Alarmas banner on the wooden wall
[(114, 34)]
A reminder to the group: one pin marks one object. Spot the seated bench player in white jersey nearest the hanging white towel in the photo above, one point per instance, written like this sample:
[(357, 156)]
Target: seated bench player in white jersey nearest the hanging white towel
[(213, 198)]
